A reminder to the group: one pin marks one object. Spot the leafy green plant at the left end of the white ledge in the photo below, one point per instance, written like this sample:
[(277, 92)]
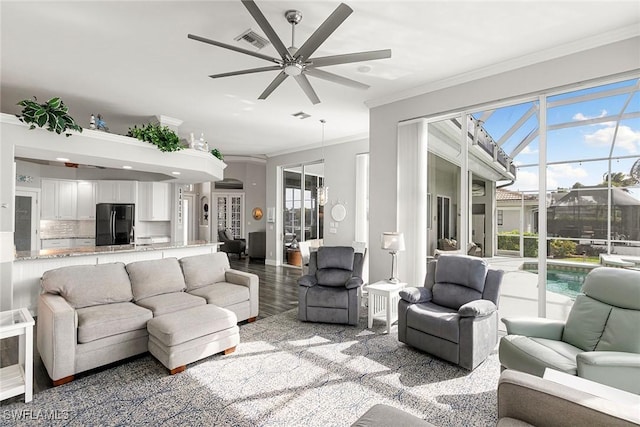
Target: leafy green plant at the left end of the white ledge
[(52, 113)]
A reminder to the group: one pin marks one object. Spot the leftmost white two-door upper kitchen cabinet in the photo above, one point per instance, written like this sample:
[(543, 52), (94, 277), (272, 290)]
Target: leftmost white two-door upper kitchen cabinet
[(59, 199)]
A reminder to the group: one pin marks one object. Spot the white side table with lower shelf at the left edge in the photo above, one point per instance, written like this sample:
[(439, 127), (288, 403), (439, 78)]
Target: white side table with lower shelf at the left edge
[(17, 379)]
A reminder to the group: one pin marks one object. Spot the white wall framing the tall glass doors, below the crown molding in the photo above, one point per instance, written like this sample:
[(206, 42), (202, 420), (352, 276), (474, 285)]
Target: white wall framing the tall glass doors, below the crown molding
[(604, 61)]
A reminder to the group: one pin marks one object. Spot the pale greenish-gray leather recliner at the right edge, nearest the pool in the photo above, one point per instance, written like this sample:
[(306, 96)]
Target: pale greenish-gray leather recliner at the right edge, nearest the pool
[(599, 340)]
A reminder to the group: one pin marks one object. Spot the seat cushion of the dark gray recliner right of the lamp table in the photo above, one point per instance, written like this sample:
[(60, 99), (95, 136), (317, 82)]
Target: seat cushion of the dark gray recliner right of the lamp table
[(442, 322)]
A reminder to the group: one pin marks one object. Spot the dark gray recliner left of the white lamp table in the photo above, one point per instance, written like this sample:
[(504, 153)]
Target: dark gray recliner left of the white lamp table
[(330, 291)]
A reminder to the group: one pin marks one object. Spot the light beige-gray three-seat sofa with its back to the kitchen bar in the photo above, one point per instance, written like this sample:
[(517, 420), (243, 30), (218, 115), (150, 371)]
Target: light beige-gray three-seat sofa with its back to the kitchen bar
[(92, 315)]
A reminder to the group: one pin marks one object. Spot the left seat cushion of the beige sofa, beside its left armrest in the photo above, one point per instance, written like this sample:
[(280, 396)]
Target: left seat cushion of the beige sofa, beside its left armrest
[(101, 321)]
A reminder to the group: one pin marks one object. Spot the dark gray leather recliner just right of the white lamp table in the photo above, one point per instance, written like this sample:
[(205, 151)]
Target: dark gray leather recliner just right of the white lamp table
[(455, 314)]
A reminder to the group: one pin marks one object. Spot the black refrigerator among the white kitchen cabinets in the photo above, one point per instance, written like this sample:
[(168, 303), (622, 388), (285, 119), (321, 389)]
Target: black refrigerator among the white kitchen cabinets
[(114, 224)]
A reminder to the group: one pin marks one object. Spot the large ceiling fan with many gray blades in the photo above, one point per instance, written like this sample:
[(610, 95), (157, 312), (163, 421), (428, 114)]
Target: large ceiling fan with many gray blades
[(295, 62)]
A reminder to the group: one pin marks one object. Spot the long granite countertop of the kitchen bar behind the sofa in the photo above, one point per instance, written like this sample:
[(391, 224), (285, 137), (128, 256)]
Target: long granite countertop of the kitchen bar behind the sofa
[(90, 250)]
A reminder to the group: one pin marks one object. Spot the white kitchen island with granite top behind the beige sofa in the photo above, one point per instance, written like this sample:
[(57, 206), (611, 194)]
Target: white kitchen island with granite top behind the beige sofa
[(29, 266)]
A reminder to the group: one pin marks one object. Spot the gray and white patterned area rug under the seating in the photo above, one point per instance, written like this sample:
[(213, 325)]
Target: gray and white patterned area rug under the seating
[(283, 373)]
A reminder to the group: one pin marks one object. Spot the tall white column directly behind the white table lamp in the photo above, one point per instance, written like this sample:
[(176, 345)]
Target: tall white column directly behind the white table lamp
[(412, 200)]
